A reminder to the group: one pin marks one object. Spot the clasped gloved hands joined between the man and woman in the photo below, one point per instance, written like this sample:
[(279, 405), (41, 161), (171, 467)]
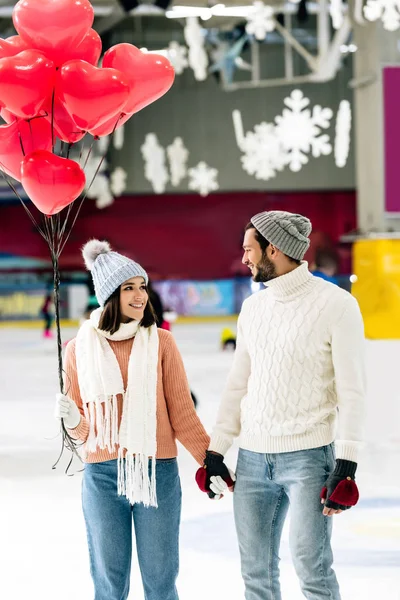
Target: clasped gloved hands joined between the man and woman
[(214, 477)]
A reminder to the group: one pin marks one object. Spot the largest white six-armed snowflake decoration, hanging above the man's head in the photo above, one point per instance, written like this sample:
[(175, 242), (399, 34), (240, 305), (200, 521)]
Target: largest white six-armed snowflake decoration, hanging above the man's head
[(299, 130)]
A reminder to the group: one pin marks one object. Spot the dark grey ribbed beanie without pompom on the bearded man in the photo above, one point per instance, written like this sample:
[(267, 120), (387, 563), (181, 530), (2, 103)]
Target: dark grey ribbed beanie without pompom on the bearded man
[(287, 231)]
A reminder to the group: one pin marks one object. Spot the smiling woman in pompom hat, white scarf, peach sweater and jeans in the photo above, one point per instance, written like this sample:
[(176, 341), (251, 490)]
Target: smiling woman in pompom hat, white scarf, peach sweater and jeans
[(128, 400)]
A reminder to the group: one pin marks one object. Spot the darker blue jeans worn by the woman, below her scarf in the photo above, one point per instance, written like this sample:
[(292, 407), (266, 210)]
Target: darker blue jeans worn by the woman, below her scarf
[(109, 519)]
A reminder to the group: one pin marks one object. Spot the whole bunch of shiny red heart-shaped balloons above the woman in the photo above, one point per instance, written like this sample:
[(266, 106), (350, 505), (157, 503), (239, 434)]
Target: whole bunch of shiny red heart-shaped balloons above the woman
[(50, 87)]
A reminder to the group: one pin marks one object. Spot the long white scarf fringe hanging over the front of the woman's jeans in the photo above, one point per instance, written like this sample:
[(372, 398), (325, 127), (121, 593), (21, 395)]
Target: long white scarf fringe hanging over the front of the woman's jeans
[(134, 481)]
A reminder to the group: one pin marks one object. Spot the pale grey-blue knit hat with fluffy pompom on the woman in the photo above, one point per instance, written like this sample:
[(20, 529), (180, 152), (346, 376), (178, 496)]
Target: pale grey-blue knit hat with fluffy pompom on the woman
[(109, 269)]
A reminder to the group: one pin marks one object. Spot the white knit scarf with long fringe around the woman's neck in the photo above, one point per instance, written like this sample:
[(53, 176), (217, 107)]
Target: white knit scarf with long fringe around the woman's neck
[(100, 381)]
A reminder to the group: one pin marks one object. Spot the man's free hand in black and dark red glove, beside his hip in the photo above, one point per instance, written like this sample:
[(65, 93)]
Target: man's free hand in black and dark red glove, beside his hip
[(340, 491)]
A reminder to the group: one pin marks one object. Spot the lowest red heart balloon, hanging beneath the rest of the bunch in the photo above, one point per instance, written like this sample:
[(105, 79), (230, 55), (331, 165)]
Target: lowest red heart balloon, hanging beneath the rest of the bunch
[(50, 181)]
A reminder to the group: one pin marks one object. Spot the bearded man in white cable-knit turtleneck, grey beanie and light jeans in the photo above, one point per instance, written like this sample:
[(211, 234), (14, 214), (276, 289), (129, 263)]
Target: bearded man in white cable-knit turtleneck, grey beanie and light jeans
[(297, 370)]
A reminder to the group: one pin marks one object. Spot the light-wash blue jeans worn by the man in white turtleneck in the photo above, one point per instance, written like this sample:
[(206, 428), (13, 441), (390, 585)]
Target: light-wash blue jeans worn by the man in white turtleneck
[(266, 485)]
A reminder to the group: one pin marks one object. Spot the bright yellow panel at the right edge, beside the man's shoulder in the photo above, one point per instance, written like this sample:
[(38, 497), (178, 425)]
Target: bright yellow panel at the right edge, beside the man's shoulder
[(377, 288)]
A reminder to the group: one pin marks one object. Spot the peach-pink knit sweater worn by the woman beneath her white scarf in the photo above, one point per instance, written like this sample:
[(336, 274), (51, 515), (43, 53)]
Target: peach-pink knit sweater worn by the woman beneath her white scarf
[(176, 416)]
